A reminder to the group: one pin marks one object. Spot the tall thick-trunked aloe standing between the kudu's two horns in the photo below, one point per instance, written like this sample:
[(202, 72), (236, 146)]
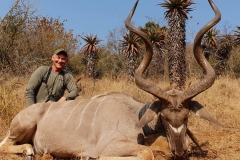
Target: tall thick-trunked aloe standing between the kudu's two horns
[(176, 15)]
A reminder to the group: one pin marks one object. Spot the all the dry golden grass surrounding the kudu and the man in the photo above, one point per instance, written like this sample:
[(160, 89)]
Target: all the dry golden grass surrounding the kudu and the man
[(222, 100)]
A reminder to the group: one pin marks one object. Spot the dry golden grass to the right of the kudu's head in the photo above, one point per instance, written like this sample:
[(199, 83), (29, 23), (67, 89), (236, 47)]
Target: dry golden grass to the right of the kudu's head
[(223, 102)]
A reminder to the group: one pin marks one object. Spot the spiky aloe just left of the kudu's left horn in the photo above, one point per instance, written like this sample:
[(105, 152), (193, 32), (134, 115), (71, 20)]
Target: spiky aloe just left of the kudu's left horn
[(131, 44)]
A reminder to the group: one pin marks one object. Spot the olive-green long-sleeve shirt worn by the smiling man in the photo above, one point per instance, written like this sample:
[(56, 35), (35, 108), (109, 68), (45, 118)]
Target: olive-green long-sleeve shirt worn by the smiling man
[(37, 91)]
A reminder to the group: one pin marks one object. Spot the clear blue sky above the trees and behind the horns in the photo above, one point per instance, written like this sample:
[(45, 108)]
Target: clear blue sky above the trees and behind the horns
[(98, 17)]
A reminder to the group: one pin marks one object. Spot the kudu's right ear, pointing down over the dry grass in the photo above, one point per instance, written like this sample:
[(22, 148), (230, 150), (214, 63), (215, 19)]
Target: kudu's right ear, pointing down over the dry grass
[(199, 110)]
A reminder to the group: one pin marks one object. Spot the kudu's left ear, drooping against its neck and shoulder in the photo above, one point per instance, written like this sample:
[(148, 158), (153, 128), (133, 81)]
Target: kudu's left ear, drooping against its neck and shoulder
[(149, 115)]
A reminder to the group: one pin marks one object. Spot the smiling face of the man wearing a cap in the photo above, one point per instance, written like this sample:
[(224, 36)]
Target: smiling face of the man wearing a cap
[(59, 60)]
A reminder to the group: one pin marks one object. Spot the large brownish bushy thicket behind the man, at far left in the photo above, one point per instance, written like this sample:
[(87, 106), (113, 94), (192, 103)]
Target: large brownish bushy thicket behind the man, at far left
[(26, 41)]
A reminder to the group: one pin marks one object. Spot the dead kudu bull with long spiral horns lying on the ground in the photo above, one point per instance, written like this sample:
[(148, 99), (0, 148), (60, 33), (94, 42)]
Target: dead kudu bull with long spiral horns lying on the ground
[(108, 125)]
